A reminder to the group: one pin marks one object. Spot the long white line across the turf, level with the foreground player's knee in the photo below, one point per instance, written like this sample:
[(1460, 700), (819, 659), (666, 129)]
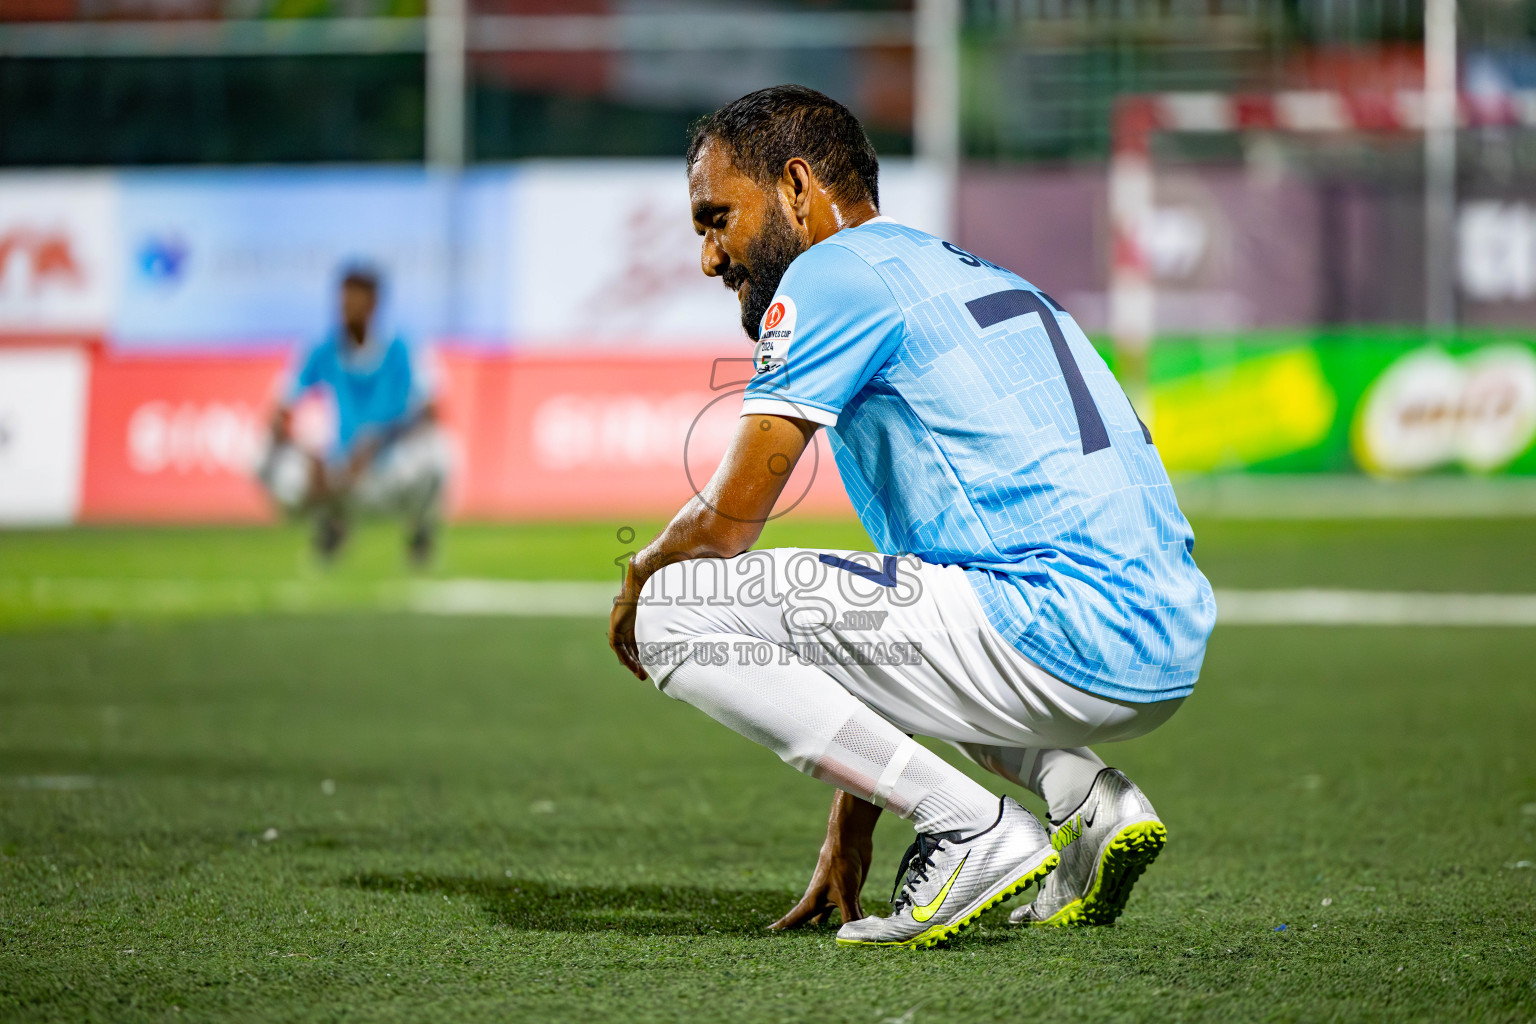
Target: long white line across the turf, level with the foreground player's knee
[(529, 600)]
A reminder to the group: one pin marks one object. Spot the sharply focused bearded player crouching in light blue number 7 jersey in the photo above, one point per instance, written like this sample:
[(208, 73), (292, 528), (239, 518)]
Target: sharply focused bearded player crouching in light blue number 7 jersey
[(1033, 593)]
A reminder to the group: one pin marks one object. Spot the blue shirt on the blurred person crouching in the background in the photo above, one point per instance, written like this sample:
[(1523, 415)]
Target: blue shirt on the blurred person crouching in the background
[(376, 388)]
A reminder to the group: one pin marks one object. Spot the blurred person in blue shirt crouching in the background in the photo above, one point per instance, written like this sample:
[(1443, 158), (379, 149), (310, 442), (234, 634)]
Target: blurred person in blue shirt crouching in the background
[(389, 457)]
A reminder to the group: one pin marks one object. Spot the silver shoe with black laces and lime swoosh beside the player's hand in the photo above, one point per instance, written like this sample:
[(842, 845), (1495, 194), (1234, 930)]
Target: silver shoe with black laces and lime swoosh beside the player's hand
[(945, 884)]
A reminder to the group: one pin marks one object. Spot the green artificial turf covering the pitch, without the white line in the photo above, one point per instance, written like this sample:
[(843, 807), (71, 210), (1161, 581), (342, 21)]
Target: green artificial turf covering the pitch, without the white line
[(371, 816)]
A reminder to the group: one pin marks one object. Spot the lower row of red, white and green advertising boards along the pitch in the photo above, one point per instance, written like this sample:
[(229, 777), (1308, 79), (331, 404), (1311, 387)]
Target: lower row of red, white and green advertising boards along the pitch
[(94, 435)]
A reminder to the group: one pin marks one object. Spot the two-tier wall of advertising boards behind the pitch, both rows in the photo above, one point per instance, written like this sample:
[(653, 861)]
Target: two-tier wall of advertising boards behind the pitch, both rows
[(145, 317)]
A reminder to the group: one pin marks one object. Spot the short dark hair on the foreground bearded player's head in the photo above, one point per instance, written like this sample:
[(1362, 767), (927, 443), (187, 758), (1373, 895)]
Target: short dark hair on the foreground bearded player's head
[(769, 128)]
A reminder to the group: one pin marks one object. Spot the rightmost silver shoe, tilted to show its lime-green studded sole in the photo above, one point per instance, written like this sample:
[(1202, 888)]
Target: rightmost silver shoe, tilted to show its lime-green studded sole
[(1105, 847)]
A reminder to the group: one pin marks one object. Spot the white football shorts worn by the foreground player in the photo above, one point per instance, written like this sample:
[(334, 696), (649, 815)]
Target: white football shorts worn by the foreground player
[(907, 638)]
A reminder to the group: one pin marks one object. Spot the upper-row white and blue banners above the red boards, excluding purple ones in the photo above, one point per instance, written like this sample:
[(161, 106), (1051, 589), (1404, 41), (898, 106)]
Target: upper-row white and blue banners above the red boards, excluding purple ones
[(549, 254)]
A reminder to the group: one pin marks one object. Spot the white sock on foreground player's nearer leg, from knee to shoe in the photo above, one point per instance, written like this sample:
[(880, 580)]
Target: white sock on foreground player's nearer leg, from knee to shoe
[(806, 718)]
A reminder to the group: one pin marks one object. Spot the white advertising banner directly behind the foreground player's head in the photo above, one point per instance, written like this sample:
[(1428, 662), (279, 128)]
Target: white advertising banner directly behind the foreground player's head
[(604, 254)]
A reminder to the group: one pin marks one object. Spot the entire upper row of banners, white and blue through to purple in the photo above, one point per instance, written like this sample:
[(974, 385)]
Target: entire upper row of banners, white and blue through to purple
[(601, 254)]
